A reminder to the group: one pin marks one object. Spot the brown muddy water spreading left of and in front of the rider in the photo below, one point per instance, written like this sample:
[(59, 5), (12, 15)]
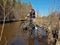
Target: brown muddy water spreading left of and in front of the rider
[(13, 35)]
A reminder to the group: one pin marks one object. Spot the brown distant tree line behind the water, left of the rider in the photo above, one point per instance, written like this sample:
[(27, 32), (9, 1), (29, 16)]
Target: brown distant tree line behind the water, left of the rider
[(13, 9)]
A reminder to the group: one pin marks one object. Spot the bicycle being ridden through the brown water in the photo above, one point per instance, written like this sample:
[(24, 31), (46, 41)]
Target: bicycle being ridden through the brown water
[(28, 26)]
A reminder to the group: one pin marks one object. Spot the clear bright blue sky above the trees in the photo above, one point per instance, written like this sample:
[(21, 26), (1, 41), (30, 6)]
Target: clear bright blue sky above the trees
[(44, 7)]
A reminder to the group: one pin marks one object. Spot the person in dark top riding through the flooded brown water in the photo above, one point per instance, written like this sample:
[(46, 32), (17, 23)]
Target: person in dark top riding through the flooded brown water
[(30, 17)]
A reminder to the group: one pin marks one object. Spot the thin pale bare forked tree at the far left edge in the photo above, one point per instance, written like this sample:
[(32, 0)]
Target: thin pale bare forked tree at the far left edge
[(4, 2)]
